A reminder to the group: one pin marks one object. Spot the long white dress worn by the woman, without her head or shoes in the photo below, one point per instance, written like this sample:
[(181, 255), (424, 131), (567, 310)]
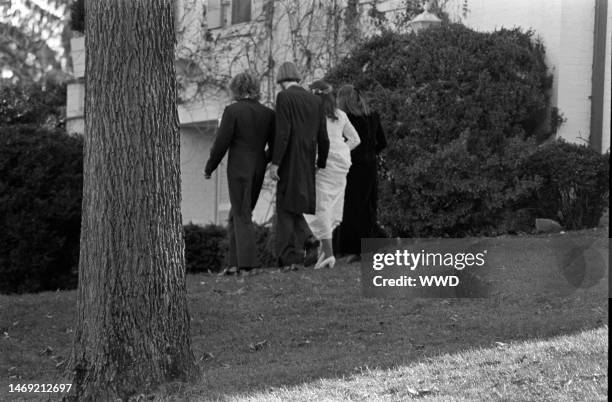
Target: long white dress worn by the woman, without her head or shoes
[(331, 181)]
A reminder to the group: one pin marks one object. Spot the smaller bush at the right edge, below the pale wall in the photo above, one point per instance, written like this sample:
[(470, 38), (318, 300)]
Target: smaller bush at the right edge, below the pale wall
[(575, 181)]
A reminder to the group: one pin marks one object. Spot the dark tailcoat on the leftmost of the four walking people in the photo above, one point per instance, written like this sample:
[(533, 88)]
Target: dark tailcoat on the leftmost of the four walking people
[(246, 127)]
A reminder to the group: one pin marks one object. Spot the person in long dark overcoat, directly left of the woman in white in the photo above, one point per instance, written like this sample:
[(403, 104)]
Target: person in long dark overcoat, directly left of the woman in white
[(300, 147)]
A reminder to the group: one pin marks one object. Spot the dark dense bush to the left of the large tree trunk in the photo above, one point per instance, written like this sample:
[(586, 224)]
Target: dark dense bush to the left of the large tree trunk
[(40, 208)]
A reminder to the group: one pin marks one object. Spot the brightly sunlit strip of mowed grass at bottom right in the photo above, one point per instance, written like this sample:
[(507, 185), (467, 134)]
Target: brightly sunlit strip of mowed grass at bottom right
[(560, 369)]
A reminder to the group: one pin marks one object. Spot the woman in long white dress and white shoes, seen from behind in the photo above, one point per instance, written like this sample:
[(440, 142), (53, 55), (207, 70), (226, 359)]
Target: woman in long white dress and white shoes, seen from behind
[(331, 181)]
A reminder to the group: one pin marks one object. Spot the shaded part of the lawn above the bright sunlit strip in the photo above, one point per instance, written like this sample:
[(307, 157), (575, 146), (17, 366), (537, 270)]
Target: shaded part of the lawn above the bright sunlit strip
[(282, 329)]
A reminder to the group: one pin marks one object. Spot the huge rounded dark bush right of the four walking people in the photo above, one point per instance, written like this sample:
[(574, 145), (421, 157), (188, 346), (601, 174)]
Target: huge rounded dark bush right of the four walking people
[(459, 108)]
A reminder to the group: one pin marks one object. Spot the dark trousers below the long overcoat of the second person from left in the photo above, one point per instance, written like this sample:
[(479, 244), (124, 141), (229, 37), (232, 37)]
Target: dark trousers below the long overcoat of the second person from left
[(291, 234)]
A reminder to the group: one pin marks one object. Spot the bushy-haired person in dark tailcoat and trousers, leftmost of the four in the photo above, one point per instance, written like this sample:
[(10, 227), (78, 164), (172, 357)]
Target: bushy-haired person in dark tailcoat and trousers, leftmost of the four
[(246, 128)]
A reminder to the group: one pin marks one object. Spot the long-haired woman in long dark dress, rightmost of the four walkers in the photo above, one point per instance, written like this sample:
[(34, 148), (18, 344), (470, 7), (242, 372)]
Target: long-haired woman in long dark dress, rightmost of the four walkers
[(361, 196)]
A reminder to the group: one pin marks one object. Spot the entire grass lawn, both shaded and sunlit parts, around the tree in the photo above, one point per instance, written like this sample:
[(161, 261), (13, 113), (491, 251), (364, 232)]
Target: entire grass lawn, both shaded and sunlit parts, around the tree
[(310, 335)]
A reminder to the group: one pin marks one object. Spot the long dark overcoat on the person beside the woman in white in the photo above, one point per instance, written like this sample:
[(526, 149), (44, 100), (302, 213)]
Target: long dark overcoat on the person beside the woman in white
[(301, 144)]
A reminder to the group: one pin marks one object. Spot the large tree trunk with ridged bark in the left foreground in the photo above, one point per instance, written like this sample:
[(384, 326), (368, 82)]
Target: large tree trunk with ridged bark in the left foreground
[(133, 325)]
